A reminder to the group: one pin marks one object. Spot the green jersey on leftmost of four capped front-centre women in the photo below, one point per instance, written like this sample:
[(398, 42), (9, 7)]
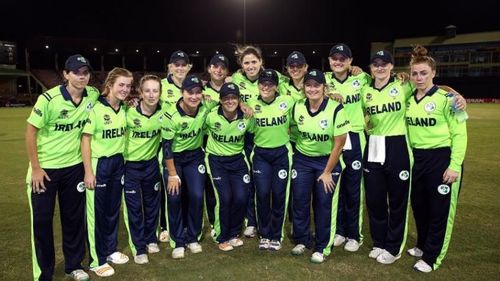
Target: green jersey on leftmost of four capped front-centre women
[(185, 131)]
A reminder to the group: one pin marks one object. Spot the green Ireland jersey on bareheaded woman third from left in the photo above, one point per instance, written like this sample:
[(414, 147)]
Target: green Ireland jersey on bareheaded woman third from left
[(143, 134)]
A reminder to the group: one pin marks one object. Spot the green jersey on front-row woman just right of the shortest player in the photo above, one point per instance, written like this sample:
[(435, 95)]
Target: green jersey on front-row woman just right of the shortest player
[(272, 121)]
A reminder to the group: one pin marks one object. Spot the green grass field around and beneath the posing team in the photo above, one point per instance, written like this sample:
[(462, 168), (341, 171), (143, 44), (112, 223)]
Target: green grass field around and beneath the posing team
[(474, 253)]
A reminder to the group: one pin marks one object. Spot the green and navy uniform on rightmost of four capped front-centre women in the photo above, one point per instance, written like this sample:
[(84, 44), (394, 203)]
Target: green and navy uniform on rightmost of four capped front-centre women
[(315, 141)]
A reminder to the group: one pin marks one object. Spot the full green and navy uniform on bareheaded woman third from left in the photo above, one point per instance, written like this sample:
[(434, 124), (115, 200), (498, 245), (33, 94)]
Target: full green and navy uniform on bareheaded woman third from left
[(142, 177)]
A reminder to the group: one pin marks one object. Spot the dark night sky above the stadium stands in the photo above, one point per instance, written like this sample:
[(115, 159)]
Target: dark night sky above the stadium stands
[(268, 21)]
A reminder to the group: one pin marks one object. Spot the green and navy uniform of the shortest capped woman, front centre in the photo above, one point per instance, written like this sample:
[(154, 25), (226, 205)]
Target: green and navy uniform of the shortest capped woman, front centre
[(229, 171)]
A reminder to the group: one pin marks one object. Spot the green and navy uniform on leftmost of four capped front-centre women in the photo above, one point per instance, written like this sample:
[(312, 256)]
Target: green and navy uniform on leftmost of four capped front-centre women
[(185, 133)]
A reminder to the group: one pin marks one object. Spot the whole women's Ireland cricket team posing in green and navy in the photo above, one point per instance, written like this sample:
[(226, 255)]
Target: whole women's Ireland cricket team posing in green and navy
[(252, 149)]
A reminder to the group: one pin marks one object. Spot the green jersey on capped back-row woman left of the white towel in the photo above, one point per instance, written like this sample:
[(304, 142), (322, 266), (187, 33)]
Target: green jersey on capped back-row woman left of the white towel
[(350, 89)]
